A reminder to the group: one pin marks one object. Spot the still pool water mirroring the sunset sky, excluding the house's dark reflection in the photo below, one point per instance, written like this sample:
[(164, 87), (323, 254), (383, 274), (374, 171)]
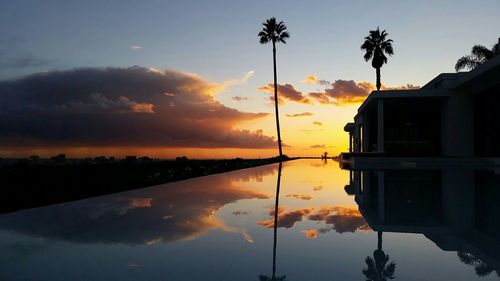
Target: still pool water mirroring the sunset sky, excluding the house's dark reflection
[(221, 227)]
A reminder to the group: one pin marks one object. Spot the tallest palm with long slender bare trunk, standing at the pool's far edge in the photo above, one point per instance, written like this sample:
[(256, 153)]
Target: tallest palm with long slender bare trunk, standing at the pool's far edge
[(274, 32)]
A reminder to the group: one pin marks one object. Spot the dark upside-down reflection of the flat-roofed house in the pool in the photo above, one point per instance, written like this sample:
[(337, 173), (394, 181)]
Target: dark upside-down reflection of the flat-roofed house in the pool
[(455, 208)]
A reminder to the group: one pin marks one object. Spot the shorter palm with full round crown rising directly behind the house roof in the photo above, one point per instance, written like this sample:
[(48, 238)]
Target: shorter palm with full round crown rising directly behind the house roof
[(376, 46)]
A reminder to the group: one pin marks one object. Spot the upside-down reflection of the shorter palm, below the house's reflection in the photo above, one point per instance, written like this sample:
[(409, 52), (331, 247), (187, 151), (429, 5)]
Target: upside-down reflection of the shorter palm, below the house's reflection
[(377, 267)]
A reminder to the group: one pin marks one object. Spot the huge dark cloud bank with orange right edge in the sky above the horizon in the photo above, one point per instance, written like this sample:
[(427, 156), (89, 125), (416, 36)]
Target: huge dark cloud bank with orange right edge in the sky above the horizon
[(133, 106)]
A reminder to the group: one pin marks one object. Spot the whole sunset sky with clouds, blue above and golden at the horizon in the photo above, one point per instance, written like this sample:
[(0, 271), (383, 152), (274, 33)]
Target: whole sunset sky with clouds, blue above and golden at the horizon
[(172, 78)]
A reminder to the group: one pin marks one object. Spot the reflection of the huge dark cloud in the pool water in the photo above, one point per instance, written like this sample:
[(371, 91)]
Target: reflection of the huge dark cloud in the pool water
[(171, 212)]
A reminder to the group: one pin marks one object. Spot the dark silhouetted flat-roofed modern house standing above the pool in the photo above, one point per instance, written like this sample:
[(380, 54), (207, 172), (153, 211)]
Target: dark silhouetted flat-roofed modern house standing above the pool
[(455, 114)]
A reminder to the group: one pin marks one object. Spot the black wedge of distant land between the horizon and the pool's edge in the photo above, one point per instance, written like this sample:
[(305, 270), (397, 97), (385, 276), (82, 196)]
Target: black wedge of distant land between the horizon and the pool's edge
[(27, 185)]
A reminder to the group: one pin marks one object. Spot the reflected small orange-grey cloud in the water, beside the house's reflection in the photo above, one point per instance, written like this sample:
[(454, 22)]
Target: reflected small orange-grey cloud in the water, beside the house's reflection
[(344, 219)]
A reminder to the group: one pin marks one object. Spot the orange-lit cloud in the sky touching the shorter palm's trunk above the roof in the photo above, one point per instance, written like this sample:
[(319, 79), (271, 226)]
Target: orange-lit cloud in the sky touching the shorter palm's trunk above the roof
[(348, 92)]
